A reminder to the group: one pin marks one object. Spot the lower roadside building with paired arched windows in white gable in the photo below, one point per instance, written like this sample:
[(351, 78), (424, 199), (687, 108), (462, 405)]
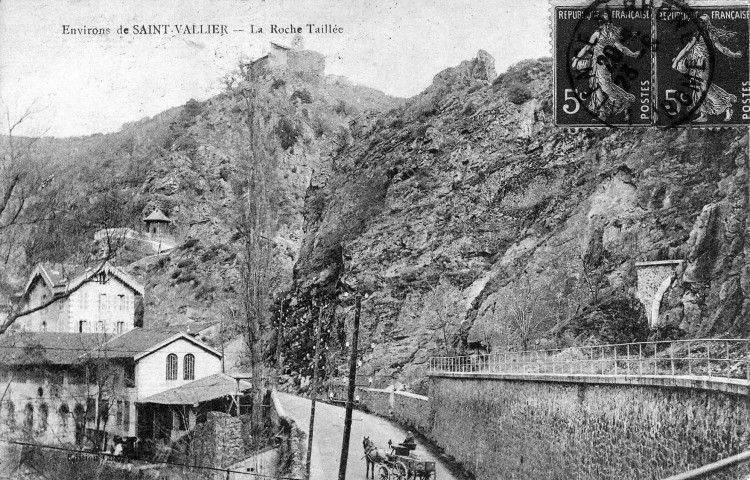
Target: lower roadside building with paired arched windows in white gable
[(70, 388)]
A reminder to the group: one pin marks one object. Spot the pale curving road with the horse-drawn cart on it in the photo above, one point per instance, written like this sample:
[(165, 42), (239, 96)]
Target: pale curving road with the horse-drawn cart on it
[(328, 437)]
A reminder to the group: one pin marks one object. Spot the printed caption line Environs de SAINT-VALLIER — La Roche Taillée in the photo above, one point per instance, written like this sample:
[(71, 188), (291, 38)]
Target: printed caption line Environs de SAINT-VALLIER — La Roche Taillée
[(203, 29)]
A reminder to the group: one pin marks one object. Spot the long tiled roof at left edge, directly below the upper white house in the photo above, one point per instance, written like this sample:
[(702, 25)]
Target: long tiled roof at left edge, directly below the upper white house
[(47, 347)]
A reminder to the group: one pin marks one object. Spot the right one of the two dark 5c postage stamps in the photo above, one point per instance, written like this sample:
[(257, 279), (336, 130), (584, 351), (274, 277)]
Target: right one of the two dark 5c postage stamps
[(702, 72)]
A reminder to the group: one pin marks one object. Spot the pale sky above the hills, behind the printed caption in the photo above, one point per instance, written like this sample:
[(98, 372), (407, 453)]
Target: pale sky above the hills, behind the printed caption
[(79, 84)]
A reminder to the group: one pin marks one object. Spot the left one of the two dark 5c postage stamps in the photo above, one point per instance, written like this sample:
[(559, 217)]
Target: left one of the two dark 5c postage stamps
[(603, 61)]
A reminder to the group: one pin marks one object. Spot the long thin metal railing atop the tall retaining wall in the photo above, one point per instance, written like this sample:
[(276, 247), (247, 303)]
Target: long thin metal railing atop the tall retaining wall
[(722, 358)]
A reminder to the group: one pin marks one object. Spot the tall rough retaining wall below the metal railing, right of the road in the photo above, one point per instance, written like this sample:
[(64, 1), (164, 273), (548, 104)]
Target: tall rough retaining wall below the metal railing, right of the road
[(525, 429)]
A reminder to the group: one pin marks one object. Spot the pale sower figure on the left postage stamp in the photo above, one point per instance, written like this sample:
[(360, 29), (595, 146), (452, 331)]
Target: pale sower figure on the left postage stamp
[(607, 99)]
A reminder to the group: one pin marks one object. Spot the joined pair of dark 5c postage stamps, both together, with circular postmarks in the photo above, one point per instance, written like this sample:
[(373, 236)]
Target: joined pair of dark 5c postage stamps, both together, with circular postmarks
[(638, 63)]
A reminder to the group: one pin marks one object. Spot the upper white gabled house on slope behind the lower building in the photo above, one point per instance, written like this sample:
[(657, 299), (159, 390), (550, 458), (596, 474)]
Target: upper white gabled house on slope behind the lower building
[(82, 300)]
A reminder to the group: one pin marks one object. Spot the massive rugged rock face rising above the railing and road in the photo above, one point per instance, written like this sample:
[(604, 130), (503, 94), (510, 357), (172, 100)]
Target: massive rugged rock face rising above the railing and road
[(467, 192)]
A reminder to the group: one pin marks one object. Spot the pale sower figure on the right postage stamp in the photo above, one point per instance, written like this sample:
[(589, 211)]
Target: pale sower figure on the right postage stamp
[(693, 61)]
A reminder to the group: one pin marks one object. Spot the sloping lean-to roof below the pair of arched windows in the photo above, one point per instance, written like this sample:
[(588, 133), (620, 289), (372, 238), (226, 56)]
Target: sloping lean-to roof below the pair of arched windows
[(202, 390)]
